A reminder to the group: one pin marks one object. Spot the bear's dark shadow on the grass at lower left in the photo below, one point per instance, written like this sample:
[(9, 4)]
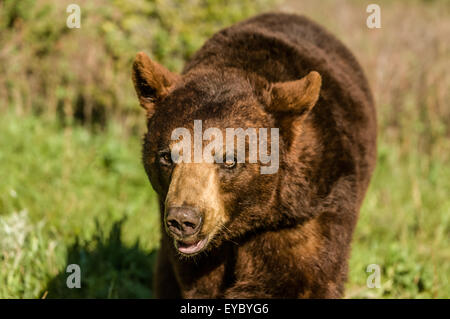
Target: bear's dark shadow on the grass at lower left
[(109, 269)]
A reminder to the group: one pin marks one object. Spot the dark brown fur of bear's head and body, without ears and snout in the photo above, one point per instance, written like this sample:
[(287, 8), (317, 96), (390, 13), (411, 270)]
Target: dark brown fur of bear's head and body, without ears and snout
[(287, 234)]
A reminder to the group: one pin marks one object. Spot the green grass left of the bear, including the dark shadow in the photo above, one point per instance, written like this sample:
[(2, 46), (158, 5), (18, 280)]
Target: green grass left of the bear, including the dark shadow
[(68, 195)]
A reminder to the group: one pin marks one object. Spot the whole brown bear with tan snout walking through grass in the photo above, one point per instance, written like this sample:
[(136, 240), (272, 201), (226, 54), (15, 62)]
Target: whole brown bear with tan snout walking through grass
[(228, 230)]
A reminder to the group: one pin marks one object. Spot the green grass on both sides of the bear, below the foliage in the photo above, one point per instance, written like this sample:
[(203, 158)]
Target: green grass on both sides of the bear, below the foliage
[(69, 195)]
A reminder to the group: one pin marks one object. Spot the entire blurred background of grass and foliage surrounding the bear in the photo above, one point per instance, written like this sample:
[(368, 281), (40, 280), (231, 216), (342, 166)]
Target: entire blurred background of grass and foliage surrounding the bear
[(72, 187)]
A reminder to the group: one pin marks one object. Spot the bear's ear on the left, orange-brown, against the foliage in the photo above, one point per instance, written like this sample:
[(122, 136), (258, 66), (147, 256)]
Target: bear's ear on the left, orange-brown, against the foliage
[(152, 81)]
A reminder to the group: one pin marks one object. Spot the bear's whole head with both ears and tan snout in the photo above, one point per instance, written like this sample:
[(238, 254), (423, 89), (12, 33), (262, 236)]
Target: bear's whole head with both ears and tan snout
[(215, 148)]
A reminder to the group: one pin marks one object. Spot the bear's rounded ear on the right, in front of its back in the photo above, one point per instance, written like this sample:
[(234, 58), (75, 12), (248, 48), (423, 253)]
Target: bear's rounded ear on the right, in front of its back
[(291, 101)]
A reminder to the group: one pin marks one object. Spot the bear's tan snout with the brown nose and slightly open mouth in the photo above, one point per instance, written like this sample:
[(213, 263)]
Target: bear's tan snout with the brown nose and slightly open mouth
[(194, 208)]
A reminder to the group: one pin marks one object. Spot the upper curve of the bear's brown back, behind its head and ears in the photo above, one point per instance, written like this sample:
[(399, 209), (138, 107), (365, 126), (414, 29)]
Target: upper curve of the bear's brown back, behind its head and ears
[(281, 47)]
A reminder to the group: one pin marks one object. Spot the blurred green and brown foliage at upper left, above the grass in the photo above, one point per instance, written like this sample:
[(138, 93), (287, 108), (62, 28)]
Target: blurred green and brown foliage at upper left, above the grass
[(86, 72)]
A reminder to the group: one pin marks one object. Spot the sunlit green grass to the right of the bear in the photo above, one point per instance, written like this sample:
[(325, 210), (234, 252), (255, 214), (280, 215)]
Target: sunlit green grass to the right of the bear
[(404, 227)]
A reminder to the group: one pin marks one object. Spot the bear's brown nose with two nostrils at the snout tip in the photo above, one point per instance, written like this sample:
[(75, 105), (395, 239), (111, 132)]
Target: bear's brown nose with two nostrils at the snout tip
[(183, 221)]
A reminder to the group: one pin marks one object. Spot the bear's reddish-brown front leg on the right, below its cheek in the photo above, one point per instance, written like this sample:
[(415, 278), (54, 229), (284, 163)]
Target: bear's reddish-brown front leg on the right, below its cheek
[(288, 263)]
